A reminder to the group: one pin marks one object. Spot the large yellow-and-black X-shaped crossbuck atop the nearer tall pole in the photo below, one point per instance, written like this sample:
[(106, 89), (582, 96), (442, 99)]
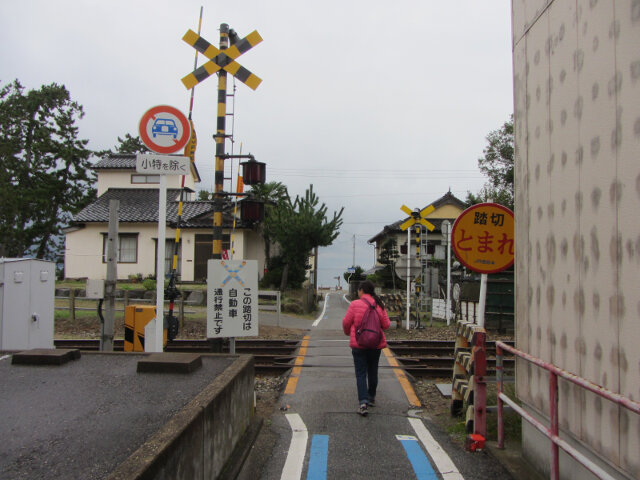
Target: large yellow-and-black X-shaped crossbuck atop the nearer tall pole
[(220, 59)]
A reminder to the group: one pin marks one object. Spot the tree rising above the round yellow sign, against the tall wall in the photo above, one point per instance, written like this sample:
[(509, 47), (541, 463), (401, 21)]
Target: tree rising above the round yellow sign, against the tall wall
[(497, 164)]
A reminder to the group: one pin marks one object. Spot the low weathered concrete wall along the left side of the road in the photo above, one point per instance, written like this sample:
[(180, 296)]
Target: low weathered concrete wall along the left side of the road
[(198, 441)]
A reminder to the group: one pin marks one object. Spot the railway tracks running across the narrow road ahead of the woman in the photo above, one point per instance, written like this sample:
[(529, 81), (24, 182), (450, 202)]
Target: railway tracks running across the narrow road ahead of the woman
[(420, 358)]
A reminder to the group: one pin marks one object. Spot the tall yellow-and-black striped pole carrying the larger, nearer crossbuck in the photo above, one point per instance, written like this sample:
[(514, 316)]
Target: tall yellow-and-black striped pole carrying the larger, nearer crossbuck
[(220, 143)]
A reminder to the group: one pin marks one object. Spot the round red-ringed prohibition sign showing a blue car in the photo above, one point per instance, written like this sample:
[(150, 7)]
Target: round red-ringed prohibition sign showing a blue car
[(164, 129)]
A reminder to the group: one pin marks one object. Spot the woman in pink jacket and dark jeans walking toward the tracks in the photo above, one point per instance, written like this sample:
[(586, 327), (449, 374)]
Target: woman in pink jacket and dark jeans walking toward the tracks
[(365, 360)]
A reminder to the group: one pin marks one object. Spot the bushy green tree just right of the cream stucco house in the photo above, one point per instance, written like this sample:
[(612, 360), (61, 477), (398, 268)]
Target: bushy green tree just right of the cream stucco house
[(299, 227)]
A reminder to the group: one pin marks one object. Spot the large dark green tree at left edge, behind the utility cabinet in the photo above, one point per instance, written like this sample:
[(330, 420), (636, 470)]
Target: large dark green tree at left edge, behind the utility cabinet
[(45, 174)]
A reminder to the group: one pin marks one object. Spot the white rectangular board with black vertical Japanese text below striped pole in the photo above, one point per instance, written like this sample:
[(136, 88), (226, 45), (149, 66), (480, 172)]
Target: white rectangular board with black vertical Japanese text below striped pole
[(232, 298)]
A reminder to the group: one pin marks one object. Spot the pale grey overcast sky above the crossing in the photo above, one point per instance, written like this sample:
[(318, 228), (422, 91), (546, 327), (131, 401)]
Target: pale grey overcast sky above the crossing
[(377, 104)]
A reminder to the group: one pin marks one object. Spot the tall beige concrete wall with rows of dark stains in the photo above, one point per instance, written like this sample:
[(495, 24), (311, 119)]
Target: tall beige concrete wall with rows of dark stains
[(577, 133)]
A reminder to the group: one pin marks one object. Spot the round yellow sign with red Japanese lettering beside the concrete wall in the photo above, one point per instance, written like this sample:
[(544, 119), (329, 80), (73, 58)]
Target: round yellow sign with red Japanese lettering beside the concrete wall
[(483, 238)]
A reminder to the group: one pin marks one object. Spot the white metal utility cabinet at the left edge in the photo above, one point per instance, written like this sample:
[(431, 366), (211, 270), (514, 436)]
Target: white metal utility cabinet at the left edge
[(27, 289)]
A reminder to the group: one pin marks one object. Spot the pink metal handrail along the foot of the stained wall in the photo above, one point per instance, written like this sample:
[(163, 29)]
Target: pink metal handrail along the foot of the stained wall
[(552, 431)]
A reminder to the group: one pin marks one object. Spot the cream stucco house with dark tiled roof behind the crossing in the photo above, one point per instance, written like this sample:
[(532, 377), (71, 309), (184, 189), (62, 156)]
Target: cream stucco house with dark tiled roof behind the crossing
[(138, 226)]
